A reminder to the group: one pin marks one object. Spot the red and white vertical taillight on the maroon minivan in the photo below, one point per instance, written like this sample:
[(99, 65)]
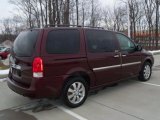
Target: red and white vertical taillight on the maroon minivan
[(38, 67)]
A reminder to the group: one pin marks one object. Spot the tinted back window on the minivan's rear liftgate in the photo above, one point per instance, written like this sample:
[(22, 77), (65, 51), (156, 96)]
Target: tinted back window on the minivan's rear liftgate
[(24, 44)]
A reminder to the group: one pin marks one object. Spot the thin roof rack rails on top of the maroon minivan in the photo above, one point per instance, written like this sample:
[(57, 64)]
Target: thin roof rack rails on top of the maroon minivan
[(64, 25)]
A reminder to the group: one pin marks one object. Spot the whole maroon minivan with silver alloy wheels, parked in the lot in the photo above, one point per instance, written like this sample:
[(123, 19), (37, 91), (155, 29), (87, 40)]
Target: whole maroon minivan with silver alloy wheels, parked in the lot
[(68, 62)]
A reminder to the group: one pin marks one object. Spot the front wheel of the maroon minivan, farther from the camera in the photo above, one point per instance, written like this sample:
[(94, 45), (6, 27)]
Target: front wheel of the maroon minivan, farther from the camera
[(146, 72)]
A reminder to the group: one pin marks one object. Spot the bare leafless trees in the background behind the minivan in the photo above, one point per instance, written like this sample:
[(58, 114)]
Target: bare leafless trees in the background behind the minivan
[(143, 14)]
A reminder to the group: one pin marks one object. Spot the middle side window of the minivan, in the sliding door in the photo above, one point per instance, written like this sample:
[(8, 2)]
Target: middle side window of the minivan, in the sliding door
[(100, 41)]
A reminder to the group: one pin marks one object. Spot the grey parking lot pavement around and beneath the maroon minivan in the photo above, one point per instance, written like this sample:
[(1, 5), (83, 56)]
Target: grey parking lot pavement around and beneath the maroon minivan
[(129, 100)]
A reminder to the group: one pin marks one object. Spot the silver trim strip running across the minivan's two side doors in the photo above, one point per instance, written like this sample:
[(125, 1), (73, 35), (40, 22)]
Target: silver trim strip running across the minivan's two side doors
[(116, 66)]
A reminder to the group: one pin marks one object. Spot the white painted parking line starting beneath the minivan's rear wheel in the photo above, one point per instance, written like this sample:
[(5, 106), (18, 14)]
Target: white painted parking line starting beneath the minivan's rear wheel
[(71, 113)]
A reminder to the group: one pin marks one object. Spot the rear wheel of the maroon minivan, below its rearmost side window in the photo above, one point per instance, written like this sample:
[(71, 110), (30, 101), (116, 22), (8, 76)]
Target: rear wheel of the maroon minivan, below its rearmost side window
[(75, 92)]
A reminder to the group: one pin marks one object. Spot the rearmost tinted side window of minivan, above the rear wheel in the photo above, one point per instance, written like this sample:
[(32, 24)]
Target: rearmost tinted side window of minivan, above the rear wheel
[(63, 42)]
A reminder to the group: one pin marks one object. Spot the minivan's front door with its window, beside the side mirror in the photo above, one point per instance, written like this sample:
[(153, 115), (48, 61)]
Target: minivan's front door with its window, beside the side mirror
[(131, 58)]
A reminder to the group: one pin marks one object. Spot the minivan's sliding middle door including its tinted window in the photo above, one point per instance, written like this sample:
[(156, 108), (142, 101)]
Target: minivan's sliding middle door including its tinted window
[(103, 56)]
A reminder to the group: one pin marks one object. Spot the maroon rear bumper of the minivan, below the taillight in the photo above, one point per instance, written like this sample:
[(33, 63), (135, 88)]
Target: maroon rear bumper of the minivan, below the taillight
[(36, 90)]
